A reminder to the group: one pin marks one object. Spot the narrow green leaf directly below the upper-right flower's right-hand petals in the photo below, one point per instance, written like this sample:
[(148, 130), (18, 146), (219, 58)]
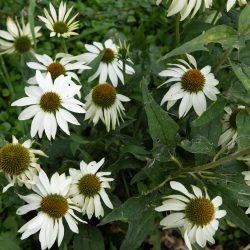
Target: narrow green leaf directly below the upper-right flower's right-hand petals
[(213, 111)]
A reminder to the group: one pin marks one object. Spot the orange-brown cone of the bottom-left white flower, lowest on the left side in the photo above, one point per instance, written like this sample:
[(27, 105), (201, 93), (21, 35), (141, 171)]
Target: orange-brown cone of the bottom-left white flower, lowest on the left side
[(56, 206)]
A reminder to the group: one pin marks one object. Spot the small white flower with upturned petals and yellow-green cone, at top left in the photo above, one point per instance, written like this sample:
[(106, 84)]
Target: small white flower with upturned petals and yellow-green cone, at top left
[(58, 23)]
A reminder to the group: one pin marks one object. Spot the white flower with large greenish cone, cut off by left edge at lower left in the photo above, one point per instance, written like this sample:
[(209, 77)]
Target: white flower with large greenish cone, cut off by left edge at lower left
[(19, 163)]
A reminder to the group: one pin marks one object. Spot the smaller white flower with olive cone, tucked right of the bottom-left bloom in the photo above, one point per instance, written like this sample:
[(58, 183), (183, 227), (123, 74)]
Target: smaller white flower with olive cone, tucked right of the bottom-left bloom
[(88, 186)]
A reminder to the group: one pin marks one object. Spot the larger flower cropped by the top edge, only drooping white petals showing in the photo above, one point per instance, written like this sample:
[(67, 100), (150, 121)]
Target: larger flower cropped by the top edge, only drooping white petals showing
[(186, 7)]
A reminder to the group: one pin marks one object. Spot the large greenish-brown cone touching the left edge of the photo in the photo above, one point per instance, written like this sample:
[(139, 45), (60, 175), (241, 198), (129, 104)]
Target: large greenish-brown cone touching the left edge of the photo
[(14, 159)]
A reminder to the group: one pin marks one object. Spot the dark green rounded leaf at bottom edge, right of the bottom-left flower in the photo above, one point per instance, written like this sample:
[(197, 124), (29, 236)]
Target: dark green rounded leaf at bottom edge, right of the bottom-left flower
[(89, 238)]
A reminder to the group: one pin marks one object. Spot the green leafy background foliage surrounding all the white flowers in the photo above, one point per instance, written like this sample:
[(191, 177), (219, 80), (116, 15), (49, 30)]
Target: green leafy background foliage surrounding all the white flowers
[(148, 148)]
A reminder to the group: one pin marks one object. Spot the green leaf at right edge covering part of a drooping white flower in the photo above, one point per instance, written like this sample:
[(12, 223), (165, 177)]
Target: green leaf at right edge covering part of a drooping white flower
[(243, 129)]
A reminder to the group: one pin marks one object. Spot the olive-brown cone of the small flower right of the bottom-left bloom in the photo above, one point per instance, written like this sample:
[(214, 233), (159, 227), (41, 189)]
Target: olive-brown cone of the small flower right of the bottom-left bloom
[(89, 185)]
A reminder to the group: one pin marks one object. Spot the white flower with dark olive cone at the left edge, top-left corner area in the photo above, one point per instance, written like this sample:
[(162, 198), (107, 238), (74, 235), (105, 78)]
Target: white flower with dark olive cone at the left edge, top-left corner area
[(18, 38)]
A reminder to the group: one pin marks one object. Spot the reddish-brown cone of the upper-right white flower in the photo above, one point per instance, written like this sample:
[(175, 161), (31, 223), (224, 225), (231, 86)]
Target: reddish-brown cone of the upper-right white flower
[(193, 81)]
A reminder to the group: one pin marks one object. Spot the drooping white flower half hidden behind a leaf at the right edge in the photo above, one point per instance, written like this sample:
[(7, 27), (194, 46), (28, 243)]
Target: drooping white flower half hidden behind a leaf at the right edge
[(229, 128)]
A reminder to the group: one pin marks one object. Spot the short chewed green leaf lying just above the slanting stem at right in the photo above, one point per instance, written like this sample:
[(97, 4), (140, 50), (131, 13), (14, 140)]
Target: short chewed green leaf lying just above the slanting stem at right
[(198, 145)]
